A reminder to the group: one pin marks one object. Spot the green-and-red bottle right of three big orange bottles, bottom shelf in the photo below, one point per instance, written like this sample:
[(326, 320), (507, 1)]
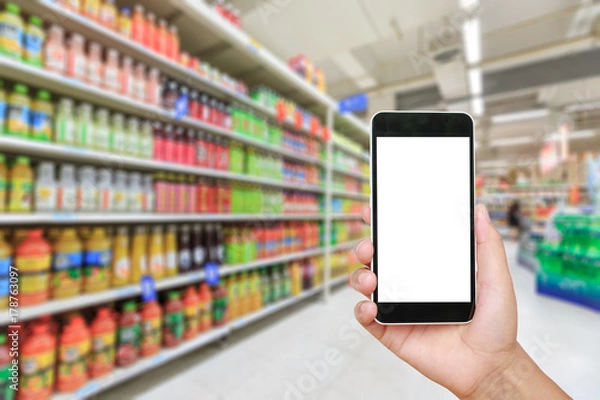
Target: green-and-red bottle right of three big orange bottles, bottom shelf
[(128, 335)]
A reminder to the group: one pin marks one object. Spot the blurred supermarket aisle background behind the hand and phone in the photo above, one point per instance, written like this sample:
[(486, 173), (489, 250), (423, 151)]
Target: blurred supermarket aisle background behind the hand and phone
[(181, 184)]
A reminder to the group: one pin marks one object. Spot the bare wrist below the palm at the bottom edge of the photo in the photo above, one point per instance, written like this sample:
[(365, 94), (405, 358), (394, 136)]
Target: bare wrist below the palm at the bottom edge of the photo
[(518, 378)]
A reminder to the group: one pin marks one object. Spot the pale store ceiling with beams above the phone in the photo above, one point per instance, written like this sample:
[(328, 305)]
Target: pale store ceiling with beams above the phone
[(536, 54)]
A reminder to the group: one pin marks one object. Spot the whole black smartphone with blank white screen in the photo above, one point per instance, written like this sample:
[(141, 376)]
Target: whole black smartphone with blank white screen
[(422, 214)]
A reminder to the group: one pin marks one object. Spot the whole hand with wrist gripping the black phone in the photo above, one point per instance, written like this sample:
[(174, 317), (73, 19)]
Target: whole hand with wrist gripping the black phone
[(481, 359)]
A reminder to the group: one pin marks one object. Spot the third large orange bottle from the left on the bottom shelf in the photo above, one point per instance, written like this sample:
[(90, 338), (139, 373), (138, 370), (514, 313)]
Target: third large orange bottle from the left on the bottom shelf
[(104, 335)]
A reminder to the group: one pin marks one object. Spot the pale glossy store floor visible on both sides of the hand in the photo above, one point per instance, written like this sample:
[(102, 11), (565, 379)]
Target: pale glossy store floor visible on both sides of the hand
[(285, 357)]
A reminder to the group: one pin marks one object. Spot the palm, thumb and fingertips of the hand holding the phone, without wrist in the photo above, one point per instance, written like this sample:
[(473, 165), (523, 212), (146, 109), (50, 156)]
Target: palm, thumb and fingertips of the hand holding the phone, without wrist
[(459, 356)]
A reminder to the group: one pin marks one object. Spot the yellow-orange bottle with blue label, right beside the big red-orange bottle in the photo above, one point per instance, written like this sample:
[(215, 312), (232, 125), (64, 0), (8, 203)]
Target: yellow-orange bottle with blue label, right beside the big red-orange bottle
[(66, 265)]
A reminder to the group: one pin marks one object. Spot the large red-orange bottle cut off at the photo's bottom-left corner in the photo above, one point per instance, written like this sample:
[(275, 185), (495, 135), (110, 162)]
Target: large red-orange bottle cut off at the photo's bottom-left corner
[(37, 363)]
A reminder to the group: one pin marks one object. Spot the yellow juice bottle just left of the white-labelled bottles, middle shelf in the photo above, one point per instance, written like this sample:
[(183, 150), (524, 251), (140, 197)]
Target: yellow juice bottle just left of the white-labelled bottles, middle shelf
[(20, 184)]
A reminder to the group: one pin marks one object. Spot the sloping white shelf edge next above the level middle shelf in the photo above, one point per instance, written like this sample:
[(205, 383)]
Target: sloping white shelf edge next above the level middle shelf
[(61, 153)]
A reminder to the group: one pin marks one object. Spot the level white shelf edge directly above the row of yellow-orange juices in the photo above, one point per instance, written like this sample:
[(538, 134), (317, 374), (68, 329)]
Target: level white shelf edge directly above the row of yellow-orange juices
[(143, 218)]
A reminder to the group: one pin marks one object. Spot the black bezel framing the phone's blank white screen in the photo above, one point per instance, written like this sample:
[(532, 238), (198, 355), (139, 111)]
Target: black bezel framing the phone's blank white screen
[(423, 124)]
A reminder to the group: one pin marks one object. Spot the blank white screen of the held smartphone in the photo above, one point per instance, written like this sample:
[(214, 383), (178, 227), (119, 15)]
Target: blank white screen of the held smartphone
[(423, 220)]
